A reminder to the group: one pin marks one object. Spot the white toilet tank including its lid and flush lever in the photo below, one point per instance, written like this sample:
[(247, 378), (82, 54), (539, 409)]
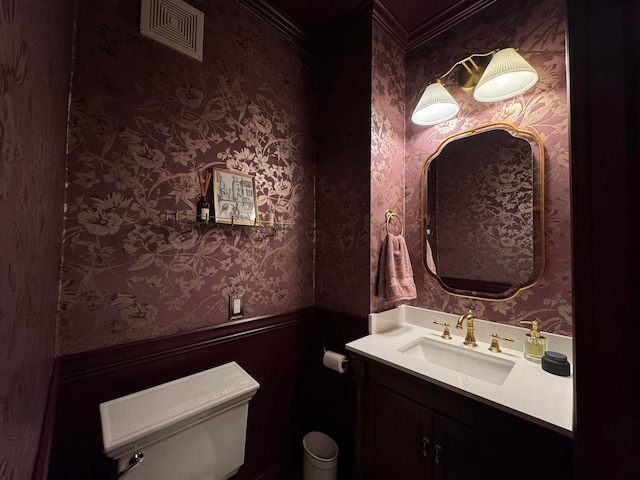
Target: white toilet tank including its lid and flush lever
[(193, 428)]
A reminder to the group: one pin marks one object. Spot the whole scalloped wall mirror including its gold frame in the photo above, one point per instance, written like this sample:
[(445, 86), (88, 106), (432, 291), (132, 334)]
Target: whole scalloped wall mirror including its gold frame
[(482, 212)]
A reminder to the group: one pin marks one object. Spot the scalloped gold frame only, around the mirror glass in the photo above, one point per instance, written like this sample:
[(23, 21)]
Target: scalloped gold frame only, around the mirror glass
[(538, 211)]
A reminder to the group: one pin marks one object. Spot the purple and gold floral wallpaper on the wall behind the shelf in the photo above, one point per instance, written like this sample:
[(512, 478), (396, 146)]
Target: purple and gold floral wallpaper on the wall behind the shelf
[(144, 121)]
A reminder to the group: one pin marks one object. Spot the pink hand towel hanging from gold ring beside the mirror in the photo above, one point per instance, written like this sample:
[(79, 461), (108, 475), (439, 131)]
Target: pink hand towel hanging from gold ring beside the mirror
[(395, 275)]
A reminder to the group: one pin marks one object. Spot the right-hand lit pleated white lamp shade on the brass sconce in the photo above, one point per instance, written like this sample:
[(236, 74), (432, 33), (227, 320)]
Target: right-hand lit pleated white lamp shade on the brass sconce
[(507, 75)]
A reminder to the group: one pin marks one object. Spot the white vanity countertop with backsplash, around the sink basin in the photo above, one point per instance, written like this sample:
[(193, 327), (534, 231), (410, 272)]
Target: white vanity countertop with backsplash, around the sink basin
[(528, 392)]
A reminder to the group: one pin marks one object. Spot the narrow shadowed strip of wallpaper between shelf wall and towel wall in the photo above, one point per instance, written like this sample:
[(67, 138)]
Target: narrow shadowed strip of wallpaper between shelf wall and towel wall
[(343, 174)]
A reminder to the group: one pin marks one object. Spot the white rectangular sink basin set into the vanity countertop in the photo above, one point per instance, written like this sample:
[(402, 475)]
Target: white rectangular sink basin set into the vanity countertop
[(485, 367)]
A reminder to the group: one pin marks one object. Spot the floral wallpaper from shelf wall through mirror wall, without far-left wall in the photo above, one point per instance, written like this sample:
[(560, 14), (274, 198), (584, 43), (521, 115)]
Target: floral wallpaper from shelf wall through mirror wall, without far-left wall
[(145, 120)]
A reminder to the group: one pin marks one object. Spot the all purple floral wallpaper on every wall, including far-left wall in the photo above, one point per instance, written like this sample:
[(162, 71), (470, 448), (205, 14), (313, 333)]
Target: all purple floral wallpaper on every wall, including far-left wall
[(144, 120)]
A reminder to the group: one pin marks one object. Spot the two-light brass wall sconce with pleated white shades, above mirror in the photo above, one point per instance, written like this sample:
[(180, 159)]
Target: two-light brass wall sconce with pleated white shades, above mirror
[(506, 75)]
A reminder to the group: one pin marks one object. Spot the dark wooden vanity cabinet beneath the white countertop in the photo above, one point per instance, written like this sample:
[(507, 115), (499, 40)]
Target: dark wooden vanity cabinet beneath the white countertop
[(409, 428)]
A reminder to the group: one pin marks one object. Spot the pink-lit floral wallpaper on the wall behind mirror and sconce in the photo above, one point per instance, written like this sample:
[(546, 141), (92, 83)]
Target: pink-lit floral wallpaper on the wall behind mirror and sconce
[(537, 29)]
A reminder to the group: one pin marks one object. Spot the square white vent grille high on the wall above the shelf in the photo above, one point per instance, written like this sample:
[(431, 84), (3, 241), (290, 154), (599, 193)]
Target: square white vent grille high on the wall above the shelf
[(175, 24)]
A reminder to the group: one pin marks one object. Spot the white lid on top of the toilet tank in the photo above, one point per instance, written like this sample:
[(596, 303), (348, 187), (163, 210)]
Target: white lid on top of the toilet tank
[(148, 412)]
